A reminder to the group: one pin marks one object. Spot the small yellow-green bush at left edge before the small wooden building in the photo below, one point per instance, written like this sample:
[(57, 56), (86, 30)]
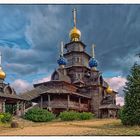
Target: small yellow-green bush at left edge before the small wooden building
[(5, 117)]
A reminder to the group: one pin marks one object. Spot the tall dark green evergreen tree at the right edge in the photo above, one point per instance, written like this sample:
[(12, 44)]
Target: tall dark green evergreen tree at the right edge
[(131, 111)]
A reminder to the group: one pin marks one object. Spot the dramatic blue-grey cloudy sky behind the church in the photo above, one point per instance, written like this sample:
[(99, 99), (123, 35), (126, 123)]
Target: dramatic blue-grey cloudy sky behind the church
[(30, 36)]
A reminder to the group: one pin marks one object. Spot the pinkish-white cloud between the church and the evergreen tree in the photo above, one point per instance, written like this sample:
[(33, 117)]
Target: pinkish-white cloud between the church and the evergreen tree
[(117, 84)]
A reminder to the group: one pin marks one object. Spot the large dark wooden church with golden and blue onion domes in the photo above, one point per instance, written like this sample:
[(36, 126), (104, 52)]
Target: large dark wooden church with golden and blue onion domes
[(77, 84)]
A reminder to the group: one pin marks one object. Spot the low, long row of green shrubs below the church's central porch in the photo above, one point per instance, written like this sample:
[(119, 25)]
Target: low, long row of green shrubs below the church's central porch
[(72, 115)]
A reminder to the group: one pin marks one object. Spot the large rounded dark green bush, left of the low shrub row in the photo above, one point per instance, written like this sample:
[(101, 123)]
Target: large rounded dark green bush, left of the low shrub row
[(39, 115)]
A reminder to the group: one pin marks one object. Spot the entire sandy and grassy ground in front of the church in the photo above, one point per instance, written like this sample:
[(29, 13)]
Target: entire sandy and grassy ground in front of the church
[(100, 127)]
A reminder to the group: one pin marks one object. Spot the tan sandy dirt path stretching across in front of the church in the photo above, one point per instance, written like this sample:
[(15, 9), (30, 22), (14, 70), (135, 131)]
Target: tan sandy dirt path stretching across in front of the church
[(56, 128)]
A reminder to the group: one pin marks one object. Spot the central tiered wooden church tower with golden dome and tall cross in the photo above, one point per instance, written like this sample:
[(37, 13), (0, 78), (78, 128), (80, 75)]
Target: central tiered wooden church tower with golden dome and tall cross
[(77, 58)]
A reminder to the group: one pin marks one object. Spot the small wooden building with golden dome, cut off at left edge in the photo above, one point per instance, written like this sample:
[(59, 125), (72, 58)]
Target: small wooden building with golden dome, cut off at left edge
[(9, 98)]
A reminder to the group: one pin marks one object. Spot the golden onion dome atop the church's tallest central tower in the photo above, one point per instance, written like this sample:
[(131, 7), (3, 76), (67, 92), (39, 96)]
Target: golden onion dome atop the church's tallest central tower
[(75, 34)]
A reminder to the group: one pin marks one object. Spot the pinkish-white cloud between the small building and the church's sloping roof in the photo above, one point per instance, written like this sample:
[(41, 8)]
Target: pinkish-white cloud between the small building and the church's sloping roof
[(21, 86)]
